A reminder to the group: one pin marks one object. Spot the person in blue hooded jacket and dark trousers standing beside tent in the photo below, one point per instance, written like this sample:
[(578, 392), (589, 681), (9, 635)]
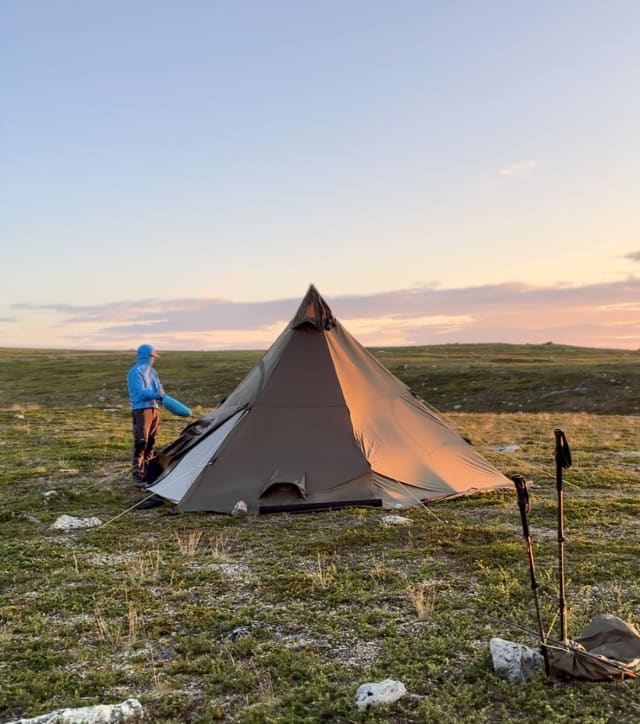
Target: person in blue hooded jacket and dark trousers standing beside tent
[(146, 394)]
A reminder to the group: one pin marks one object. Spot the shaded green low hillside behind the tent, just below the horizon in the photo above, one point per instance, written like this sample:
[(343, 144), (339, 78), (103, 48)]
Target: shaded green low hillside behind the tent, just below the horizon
[(465, 377)]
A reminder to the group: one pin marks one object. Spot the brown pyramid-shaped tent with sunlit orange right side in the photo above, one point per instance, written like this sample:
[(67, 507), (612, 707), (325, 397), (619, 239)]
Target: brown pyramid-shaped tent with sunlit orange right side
[(319, 422)]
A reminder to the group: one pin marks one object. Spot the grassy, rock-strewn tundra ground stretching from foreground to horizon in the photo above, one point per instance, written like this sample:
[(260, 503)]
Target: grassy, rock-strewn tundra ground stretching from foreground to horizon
[(280, 618)]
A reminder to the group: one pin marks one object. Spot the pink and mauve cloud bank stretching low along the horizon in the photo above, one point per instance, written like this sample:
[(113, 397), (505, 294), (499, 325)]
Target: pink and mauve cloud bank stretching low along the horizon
[(597, 315)]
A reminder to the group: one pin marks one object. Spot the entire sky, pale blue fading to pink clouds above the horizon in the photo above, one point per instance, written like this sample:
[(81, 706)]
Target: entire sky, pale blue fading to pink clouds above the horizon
[(443, 171)]
